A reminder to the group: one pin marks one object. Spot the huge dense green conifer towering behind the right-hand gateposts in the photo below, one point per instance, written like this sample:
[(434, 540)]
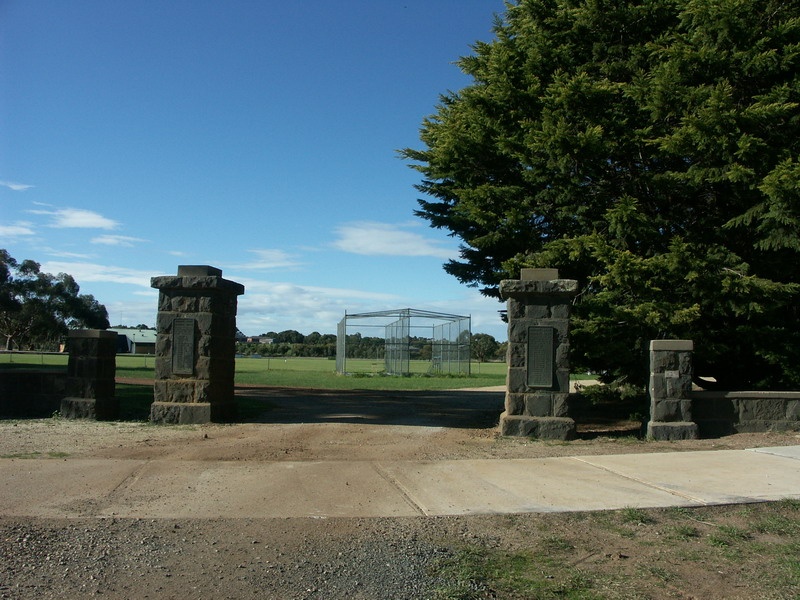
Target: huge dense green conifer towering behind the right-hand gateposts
[(648, 149)]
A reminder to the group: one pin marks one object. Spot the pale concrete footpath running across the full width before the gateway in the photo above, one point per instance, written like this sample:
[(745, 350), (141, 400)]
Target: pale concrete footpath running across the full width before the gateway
[(213, 489)]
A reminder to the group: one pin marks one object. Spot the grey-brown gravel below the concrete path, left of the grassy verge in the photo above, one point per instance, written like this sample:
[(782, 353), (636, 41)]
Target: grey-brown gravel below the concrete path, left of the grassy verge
[(276, 558)]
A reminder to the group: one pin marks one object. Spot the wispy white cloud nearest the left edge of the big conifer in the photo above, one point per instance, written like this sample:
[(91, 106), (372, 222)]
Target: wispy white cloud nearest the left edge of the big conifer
[(384, 239)]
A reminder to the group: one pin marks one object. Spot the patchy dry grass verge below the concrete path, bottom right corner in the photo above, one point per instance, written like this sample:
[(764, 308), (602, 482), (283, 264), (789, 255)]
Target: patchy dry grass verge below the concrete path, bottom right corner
[(741, 551)]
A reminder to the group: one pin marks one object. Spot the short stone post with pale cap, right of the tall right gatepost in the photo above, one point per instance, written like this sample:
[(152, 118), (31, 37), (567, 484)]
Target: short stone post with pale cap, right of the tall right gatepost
[(670, 391)]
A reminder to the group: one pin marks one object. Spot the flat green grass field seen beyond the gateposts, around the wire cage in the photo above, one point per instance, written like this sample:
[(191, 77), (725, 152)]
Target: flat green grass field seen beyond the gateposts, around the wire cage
[(316, 373)]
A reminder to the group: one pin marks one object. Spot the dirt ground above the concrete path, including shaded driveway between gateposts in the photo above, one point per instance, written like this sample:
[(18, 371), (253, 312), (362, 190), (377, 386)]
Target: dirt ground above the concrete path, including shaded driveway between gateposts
[(360, 425)]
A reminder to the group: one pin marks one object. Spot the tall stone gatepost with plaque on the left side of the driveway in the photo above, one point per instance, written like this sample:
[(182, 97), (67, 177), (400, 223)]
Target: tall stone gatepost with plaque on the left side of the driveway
[(195, 346)]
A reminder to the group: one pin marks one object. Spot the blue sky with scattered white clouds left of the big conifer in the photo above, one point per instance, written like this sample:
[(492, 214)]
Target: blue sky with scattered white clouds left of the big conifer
[(259, 137)]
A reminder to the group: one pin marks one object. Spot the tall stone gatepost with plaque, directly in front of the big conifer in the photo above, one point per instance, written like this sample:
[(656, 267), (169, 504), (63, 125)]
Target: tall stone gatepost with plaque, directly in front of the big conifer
[(537, 385)]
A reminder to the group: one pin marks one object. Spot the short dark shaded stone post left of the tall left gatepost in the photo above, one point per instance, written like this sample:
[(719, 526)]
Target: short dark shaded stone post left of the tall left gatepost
[(91, 370)]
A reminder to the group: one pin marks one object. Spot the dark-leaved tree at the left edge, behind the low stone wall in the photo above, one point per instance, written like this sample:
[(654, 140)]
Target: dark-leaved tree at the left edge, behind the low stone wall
[(37, 309)]
